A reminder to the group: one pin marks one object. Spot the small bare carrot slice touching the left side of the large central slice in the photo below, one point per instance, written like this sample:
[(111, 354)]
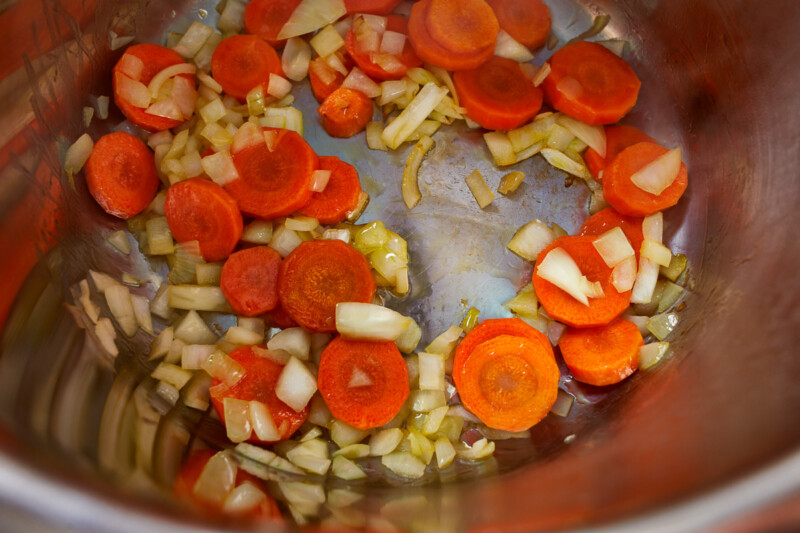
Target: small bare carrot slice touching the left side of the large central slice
[(250, 280)]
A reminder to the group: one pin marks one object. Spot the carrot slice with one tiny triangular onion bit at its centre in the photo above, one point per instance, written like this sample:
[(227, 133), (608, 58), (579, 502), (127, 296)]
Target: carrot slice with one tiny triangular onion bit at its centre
[(364, 384)]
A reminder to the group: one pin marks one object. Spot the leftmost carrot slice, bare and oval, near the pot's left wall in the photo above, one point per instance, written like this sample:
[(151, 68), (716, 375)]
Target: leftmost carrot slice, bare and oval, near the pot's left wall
[(121, 174)]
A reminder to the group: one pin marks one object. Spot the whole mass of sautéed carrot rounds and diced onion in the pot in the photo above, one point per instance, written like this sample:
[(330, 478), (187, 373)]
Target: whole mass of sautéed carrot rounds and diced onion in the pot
[(317, 377)]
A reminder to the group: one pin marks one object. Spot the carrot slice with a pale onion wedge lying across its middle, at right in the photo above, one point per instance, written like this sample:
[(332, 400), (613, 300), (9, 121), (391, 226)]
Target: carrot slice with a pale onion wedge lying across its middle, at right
[(563, 307)]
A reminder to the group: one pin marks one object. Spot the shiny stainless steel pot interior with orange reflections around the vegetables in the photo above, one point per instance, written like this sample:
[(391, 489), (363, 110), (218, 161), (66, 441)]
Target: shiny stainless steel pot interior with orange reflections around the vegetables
[(84, 440)]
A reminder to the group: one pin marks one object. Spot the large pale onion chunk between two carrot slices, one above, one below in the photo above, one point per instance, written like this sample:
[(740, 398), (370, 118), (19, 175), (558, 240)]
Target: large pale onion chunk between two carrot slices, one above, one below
[(369, 322)]
